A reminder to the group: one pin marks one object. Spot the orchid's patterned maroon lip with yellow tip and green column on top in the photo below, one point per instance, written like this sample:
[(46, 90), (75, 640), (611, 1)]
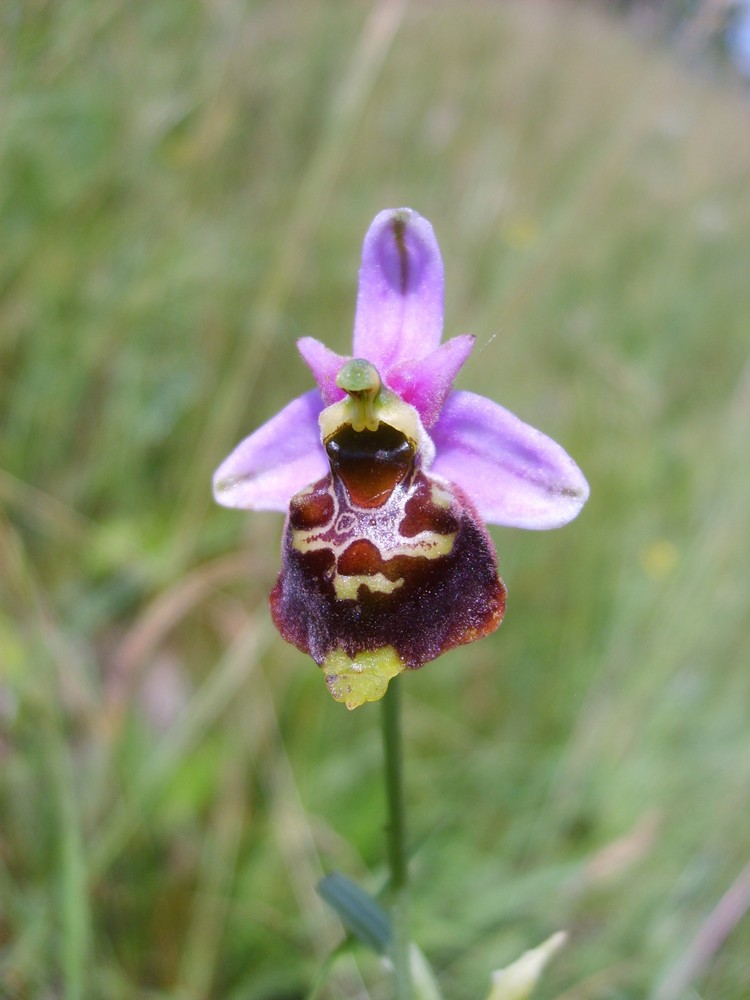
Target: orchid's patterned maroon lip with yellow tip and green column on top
[(384, 566)]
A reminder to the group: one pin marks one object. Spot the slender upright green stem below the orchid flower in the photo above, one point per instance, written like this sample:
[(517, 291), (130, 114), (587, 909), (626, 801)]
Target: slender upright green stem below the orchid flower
[(396, 832)]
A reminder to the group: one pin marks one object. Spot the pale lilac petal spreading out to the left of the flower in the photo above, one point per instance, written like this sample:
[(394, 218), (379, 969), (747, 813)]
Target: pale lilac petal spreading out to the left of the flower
[(284, 455)]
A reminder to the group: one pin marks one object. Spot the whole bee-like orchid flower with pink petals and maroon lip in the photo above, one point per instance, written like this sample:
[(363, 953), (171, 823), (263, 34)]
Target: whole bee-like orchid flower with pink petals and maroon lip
[(388, 477)]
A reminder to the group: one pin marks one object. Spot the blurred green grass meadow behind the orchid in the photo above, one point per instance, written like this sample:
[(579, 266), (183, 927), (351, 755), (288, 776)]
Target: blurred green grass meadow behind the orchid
[(185, 188)]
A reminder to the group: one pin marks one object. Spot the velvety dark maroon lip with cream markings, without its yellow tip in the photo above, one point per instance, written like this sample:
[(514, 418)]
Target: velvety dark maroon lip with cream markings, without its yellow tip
[(420, 575)]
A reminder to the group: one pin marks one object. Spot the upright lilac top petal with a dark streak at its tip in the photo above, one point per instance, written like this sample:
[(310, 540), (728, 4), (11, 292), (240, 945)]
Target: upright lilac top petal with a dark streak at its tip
[(400, 300)]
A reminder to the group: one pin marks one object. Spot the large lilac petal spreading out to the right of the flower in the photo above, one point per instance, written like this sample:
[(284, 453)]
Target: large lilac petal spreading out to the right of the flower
[(515, 475)]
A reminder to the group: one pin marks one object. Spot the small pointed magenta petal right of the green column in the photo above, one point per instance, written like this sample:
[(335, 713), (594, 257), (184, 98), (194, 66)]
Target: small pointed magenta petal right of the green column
[(426, 384)]
